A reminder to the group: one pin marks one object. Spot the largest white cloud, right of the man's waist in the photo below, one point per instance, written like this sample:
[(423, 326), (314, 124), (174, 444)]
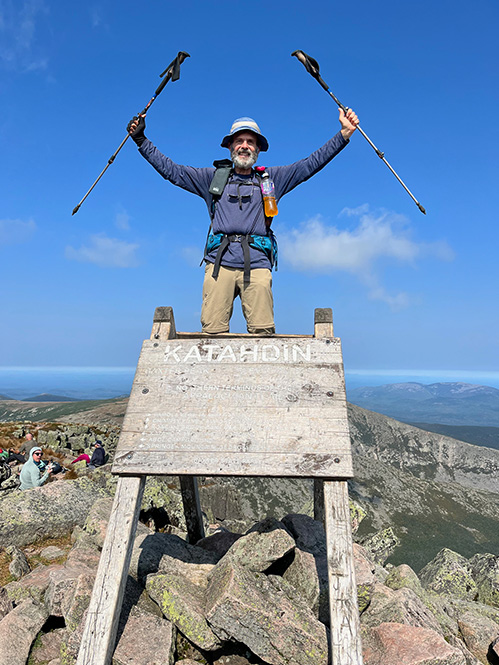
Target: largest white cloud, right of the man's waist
[(376, 239)]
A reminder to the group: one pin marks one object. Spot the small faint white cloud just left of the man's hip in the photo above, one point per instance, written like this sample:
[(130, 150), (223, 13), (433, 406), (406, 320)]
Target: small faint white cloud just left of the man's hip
[(105, 252)]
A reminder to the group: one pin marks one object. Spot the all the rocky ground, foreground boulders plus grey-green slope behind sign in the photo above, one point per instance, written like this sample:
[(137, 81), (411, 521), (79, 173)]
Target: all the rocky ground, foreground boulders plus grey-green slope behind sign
[(426, 556)]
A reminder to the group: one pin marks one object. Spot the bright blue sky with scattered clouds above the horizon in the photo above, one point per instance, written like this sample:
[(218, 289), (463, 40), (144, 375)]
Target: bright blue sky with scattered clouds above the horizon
[(407, 290)]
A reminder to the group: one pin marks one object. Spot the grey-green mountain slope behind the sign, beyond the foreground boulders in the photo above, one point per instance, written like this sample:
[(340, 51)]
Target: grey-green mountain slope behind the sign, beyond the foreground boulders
[(433, 490)]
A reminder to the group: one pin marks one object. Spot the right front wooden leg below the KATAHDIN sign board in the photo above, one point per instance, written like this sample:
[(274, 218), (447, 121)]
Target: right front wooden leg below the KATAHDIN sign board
[(346, 646)]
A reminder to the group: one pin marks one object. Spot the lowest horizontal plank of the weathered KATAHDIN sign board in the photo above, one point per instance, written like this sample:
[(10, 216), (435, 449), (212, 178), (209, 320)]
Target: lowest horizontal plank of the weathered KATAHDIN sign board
[(212, 463)]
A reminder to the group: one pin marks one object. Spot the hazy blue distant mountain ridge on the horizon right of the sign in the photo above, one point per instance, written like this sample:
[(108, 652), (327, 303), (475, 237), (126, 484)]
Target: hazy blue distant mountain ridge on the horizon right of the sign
[(446, 403)]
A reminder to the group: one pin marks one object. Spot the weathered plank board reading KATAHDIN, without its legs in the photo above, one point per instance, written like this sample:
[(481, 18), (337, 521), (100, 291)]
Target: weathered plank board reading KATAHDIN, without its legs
[(252, 406)]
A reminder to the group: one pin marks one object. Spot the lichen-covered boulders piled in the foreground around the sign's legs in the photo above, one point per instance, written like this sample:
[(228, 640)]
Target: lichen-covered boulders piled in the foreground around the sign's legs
[(235, 599)]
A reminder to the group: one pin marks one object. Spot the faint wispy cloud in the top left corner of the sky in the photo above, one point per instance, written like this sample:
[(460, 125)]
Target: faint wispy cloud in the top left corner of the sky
[(18, 25)]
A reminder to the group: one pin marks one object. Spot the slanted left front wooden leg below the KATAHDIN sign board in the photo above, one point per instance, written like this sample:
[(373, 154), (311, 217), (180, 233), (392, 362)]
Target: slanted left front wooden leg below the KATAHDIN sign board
[(99, 634)]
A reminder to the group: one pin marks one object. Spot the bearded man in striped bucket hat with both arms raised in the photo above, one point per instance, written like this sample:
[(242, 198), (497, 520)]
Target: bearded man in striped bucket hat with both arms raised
[(241, 250)]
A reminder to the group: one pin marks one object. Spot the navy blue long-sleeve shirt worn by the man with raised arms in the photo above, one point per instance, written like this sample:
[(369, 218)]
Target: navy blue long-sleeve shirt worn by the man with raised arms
[(240, 208)]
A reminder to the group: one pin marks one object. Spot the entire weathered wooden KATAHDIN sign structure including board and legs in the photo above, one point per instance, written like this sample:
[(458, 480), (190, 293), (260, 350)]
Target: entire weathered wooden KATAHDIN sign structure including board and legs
[(234, 405)]
